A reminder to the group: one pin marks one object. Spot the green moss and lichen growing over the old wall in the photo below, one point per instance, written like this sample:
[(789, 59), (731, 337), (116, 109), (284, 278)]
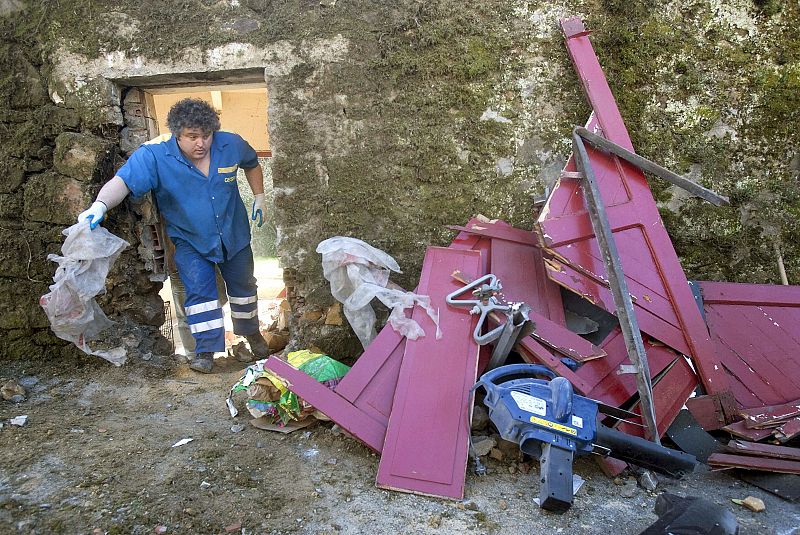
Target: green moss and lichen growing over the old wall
[(389, 144)]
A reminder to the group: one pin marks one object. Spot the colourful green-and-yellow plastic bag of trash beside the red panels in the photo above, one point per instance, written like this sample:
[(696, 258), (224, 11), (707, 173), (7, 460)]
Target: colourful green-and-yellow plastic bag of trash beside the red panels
[(268, 394)]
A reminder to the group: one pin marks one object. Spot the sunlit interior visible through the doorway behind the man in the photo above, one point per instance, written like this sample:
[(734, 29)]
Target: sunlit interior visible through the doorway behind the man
[(242, 109)]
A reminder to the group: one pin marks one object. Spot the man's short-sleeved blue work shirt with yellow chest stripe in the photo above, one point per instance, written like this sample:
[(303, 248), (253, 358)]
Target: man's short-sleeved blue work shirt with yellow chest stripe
[(205, 211)]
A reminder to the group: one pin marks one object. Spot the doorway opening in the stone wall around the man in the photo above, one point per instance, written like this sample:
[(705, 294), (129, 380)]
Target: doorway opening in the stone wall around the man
[(242, 109)]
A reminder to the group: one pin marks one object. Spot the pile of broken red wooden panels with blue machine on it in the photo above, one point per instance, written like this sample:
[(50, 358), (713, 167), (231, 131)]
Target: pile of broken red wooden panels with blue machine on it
[(595, 299)]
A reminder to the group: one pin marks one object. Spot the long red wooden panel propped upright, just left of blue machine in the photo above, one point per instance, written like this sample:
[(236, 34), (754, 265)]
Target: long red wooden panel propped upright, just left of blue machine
[(425, 450)]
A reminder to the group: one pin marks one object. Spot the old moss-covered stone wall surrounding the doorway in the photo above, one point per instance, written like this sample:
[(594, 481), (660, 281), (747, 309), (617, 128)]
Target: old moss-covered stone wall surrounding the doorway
[(389, 121)]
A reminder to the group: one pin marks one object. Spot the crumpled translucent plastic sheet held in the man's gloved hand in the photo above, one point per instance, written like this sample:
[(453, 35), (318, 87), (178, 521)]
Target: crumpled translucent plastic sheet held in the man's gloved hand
[(81, 274)]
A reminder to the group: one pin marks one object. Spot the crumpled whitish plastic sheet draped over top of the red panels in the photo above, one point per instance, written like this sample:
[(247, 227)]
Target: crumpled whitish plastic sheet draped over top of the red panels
[(358, 273)]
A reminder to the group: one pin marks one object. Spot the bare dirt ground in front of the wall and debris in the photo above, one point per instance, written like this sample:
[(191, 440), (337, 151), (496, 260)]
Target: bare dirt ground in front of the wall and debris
[(95, 457)]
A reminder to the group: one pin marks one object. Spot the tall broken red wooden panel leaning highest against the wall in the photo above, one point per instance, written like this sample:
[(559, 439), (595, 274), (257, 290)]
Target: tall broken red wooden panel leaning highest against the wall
[(648, 258)]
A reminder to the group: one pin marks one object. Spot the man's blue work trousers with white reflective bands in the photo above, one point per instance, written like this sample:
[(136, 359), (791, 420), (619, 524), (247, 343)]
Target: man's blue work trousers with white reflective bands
[(203, 309)]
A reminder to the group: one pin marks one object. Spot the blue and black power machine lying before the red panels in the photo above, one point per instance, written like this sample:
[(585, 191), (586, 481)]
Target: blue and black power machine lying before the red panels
[(553, 424)]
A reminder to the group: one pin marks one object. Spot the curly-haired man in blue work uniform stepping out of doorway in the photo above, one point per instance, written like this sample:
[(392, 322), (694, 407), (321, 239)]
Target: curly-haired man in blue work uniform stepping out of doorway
[(192, 173)]
